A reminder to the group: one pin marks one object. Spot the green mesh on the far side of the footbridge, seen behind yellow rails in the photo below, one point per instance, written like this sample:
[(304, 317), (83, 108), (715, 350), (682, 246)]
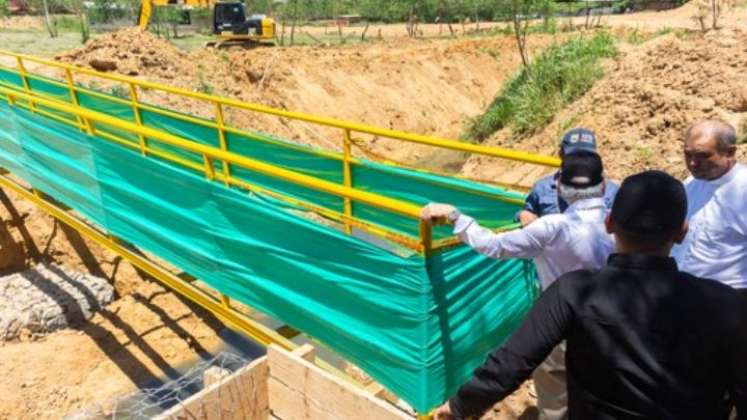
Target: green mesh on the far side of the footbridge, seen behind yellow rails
[(475, 199)]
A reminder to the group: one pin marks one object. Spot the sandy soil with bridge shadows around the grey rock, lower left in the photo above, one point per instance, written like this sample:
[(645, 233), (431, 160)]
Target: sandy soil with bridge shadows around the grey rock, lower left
[(138, 337)]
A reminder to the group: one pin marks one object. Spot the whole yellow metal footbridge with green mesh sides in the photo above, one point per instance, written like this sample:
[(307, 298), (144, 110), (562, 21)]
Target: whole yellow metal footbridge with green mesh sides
[(325, 241)]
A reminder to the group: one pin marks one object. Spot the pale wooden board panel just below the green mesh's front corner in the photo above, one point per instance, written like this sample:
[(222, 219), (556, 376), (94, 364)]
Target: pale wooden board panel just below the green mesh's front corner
[(300, 390)]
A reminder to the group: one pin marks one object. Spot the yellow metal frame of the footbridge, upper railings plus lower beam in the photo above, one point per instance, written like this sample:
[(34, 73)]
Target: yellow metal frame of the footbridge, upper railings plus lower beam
[(91, 123)]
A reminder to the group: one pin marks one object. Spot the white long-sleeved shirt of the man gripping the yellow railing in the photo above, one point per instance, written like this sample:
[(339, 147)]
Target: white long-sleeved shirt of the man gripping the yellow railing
[(559, 243)]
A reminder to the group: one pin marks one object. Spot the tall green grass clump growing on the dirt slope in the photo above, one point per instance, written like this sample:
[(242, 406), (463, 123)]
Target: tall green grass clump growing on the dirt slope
[(556, 77)]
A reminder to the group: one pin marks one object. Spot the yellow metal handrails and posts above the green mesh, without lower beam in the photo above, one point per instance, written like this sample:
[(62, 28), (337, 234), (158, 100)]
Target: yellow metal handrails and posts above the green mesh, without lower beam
[(86, 120)]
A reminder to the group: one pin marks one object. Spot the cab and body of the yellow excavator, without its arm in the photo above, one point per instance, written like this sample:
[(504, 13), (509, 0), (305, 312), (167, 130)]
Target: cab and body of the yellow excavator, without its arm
[(230, 22)]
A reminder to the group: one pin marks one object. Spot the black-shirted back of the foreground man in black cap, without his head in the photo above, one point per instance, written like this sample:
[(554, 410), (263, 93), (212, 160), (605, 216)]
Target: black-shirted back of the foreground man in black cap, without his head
[(651, 342)]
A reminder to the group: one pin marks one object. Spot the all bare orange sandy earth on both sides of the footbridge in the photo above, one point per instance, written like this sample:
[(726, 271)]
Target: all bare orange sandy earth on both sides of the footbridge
[(429, 86)]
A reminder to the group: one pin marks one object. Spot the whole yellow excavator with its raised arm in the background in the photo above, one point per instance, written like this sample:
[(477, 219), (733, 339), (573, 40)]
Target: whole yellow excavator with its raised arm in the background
[(230, 22)]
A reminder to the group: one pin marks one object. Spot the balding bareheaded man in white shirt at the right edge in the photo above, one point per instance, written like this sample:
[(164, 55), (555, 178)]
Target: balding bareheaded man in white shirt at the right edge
[(716, 244)]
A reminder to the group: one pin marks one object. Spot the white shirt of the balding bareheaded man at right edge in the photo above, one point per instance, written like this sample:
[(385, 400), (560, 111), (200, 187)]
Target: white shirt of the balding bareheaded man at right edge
[(716, 244)]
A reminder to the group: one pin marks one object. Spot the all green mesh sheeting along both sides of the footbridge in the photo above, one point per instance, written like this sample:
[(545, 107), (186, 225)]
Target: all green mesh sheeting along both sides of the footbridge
[(418, 326)]
